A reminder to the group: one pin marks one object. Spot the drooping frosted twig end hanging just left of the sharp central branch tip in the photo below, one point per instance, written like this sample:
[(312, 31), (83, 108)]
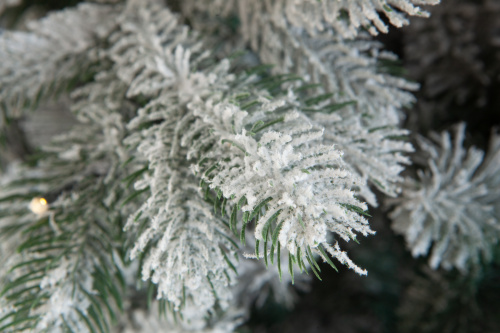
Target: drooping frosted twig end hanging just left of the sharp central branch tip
[(189, 256)]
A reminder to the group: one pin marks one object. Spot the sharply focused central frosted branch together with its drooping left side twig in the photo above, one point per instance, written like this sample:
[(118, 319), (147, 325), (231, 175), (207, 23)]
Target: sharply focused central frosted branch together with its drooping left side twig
[(277, 173)]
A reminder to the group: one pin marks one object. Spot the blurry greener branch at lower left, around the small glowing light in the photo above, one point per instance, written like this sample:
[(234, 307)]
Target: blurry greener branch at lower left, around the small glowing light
[(74, 242)]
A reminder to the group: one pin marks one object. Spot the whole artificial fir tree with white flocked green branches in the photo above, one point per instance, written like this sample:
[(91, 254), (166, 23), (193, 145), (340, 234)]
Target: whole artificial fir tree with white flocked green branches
[(223, 153)]
